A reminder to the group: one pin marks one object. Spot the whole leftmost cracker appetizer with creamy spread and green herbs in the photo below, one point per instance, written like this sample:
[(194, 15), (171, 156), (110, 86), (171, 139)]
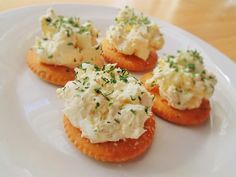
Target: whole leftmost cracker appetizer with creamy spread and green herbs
[(65, 43)]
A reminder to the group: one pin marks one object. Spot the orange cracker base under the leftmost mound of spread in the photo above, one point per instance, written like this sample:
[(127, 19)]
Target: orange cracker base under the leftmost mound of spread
[(55, 74)]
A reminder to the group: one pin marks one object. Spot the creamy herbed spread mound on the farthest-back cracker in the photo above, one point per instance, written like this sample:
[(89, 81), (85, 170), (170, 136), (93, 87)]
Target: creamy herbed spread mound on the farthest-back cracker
[(134, 34)]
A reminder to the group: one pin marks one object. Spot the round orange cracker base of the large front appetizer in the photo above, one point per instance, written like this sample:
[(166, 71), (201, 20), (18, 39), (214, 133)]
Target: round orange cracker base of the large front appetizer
[(120, 151)]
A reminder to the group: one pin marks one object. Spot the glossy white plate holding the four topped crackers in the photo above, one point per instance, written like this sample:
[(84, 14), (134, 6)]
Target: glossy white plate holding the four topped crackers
[(32, 139)]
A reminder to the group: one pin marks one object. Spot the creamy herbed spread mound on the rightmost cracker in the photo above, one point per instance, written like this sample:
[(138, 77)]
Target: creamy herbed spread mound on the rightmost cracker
[(183, 80)]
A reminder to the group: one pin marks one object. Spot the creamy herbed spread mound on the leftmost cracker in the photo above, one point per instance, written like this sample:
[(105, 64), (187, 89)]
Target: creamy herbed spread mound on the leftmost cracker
[(65, 41)]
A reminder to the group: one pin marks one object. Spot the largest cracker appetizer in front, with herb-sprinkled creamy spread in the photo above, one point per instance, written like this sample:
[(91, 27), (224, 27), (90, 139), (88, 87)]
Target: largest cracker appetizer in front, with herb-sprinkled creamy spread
[(107, 113)]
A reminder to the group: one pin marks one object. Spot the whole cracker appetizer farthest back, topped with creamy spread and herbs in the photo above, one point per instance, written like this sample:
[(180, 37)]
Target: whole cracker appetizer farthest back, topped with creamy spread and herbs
[(132, 41)]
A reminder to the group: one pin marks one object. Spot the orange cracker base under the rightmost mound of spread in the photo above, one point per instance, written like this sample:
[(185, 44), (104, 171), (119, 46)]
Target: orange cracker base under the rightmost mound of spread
[(182, 117)]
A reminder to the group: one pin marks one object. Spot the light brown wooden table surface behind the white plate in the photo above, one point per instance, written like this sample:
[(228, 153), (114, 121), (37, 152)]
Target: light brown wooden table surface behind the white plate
[(212, 20)]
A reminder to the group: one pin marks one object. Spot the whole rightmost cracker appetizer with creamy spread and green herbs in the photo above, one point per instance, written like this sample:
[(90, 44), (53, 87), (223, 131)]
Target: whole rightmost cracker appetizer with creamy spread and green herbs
[(182, 88)]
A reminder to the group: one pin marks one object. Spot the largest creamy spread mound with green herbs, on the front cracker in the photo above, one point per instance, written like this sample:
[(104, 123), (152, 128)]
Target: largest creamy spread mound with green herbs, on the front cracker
[(106, 104)]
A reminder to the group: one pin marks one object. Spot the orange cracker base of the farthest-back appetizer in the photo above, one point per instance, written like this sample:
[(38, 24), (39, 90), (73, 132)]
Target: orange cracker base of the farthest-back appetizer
[(129, 62)]
